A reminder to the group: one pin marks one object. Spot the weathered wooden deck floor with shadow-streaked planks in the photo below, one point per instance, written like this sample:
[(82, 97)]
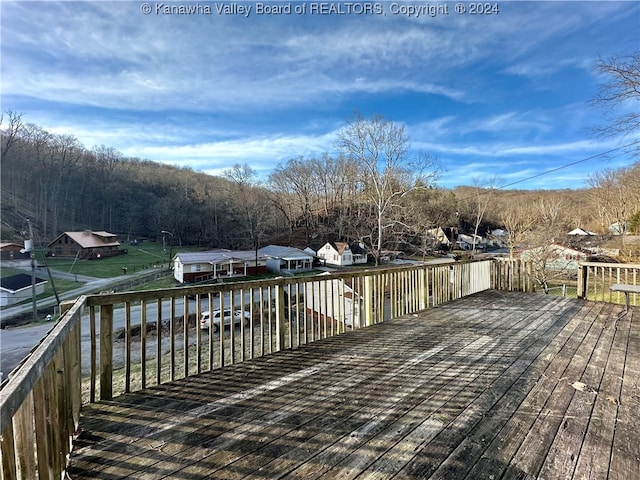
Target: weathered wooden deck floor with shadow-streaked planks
[(496, 385)]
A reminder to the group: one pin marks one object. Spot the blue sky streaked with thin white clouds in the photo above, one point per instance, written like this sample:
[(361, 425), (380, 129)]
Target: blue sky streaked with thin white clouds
[(504, 95)]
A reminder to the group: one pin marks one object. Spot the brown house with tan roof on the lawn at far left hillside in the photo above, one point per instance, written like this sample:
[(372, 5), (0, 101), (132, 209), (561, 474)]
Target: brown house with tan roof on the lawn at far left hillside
[(85, 245)]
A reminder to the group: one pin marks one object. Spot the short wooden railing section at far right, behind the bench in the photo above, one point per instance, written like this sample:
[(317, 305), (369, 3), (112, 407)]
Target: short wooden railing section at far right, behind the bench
[(595, 280)]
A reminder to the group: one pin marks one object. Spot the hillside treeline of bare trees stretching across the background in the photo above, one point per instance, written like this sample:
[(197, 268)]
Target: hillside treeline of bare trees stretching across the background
[(62, 185)]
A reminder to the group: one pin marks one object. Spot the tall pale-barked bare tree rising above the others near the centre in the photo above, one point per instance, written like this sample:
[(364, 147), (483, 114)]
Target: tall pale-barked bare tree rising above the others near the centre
[(388, 172)]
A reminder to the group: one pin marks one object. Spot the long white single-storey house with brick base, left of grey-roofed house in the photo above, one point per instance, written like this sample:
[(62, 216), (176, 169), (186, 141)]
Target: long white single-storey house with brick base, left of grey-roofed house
[(215, 265)]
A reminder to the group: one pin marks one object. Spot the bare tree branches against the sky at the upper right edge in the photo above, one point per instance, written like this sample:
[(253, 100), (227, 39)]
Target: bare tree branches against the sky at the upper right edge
[(619, 96)]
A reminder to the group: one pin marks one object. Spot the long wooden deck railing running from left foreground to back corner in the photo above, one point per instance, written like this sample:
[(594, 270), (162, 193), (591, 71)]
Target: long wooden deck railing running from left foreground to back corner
[(139, 339)]
